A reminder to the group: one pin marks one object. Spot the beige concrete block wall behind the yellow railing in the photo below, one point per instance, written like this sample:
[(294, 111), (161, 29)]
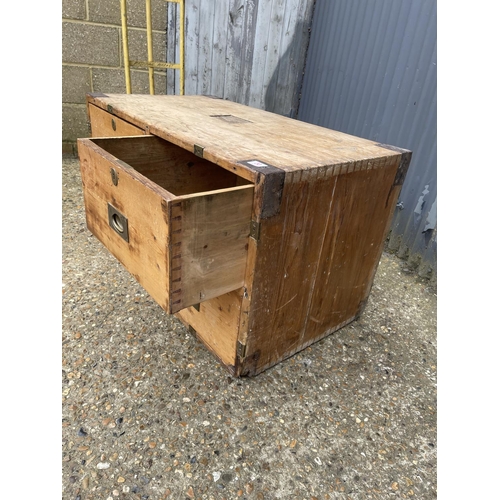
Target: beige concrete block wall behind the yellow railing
[(92, 56)]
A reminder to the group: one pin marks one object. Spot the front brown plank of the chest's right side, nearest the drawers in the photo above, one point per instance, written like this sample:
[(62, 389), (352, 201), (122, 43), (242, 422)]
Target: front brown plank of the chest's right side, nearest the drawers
[(285, 279)]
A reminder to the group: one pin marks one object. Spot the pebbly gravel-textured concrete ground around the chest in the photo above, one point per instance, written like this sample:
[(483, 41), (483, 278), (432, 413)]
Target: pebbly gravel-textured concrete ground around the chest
[(149, 413)]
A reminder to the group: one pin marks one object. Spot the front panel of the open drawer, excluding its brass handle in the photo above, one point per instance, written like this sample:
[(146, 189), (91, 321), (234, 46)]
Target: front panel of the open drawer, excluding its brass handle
[(145, 254)]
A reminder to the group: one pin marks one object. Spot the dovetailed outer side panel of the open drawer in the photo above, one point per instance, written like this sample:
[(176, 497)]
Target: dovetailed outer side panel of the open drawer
[(210, 239)]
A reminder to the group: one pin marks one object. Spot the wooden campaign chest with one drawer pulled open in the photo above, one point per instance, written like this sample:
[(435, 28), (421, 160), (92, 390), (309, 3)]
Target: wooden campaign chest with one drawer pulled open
[(261, 233)]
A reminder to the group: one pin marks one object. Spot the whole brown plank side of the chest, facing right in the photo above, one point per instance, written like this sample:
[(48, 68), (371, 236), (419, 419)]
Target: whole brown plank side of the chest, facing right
[(318, 276)]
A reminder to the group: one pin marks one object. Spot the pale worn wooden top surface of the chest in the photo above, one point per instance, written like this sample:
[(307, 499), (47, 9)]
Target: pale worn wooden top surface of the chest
[(232, 133)]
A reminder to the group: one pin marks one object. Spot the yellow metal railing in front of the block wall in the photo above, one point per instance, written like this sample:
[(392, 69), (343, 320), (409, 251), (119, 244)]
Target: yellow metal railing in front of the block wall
[(150, 63)]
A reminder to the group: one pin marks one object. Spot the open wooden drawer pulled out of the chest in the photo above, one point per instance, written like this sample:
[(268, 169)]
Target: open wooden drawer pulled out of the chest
[(179, 223)]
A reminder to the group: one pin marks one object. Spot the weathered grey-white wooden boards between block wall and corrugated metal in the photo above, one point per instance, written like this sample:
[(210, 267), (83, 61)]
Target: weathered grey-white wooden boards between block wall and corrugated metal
[(248, 51)]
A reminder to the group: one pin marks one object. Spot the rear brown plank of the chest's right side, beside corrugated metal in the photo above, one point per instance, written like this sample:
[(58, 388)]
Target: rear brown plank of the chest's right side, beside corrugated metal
[(362, 206)]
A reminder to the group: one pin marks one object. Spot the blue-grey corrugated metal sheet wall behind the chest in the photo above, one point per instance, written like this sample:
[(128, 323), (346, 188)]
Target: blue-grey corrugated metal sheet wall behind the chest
[(371, 72)]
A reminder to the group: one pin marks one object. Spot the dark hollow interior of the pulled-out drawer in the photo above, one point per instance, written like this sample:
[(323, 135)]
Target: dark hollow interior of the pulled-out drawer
[(173, 168)]
